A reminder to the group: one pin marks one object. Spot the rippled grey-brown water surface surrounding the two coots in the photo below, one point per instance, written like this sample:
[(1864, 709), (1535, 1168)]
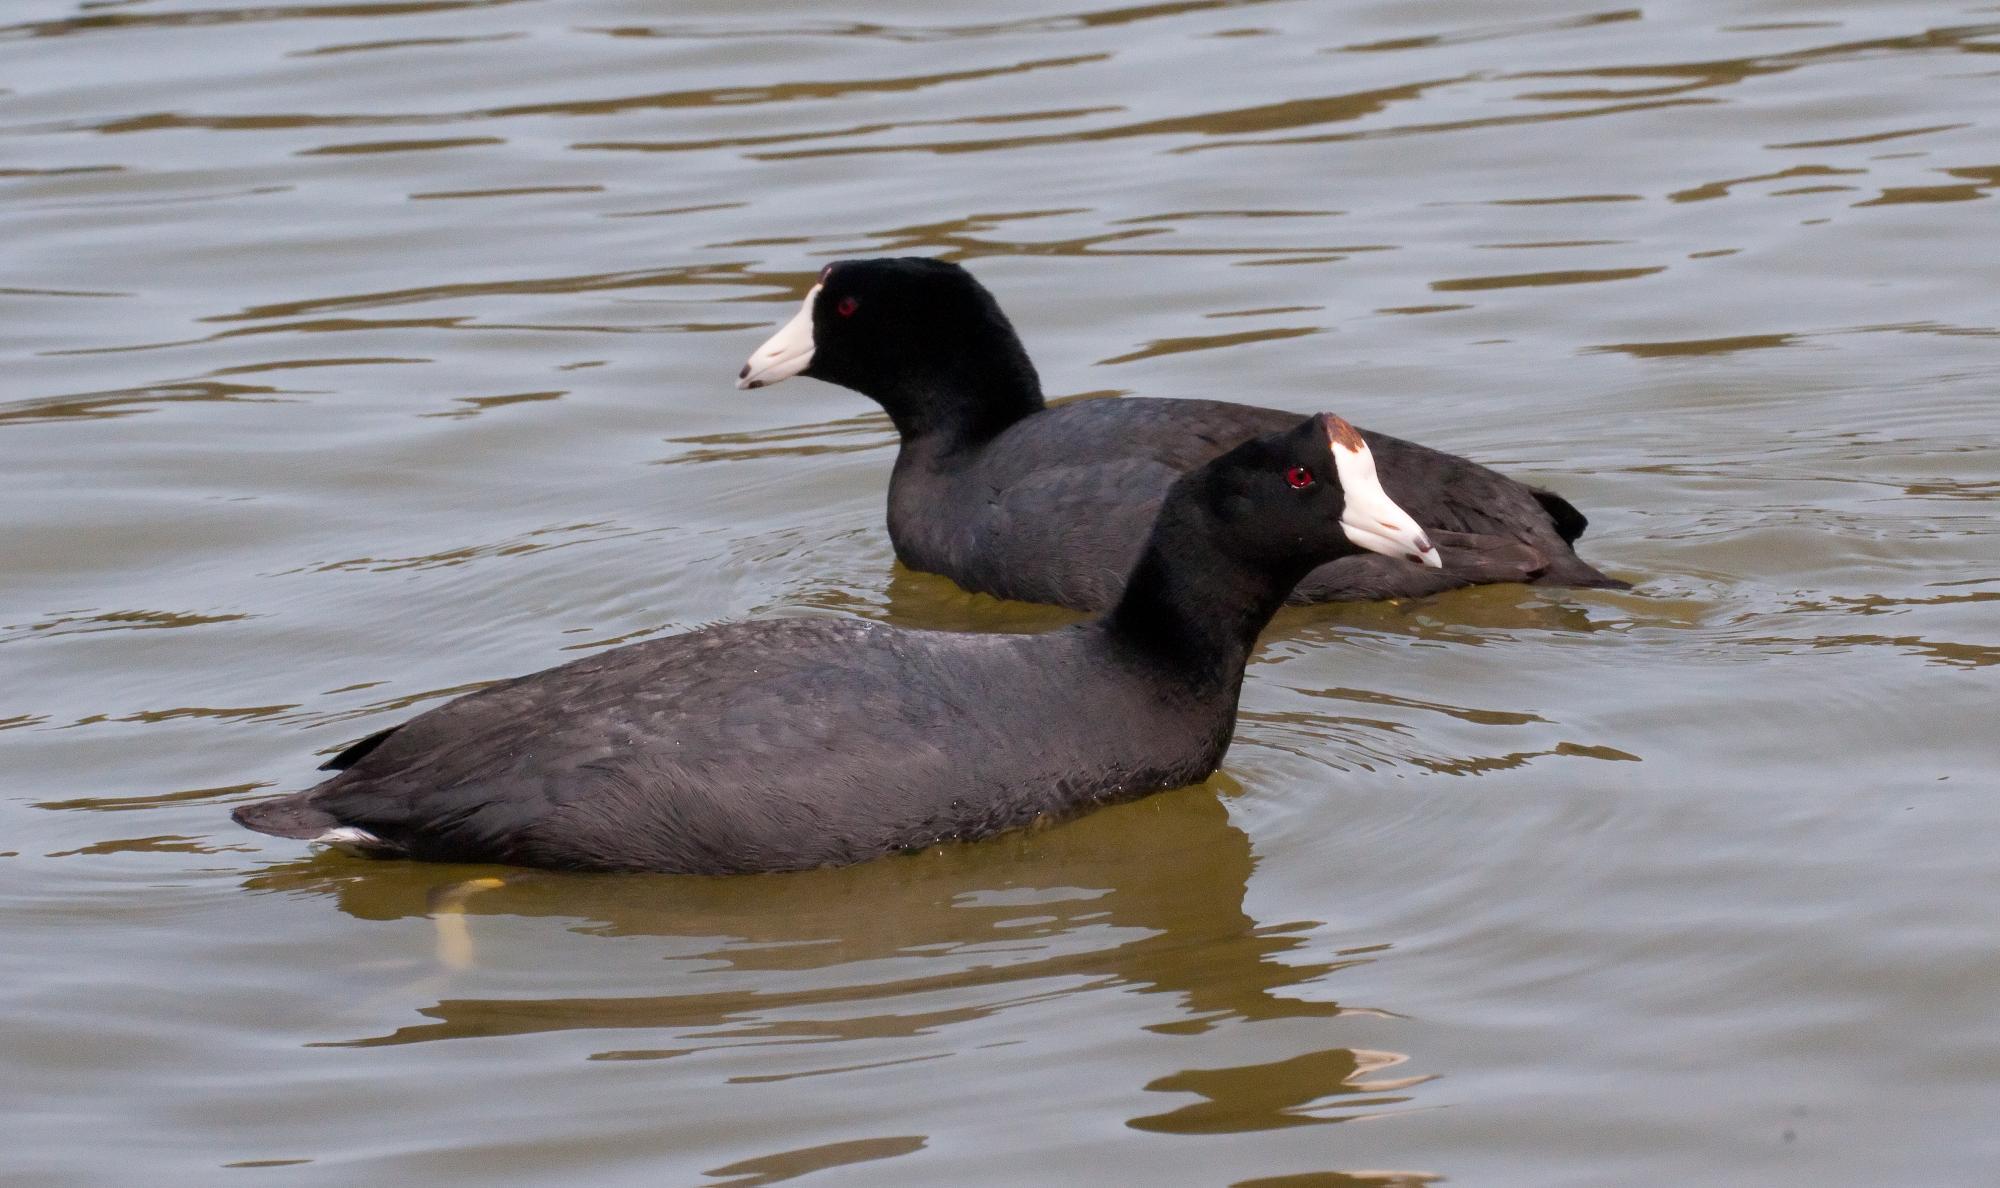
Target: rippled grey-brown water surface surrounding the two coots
[(363, 353)]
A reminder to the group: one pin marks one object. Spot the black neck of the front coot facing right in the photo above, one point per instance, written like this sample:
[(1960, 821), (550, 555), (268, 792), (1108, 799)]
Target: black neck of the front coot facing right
[(1193, 607)]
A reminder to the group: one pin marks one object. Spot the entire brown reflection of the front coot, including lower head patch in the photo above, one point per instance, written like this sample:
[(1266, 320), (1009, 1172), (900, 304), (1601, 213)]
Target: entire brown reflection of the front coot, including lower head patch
[(1145, 897)]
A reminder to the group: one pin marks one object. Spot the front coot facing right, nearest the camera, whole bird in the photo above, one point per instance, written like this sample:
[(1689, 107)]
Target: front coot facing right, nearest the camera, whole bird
[(803, 743)]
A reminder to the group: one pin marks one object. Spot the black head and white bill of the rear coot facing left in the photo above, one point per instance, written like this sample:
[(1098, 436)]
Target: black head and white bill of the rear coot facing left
[(919, 337)]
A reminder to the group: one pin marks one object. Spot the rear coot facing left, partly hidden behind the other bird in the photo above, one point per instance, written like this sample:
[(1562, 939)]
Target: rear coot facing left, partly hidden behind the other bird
[(1019, 499)]
